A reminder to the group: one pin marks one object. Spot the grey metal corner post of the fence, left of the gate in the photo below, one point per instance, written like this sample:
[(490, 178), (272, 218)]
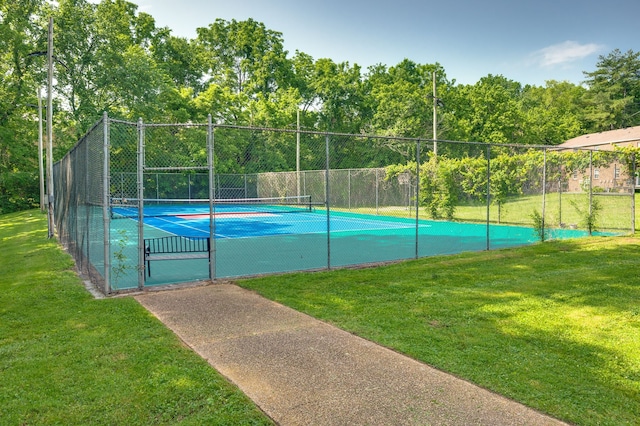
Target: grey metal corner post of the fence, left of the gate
[(106, 202)]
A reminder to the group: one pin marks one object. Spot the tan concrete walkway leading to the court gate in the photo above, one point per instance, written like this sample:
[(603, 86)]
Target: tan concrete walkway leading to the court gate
[(301, 371)]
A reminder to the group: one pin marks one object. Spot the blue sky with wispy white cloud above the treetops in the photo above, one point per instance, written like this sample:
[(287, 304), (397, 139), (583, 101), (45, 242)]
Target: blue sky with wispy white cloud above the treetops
[(526, 41)]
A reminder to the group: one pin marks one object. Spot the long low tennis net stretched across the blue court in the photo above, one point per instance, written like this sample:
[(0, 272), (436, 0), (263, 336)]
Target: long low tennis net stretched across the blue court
[(129, 207)]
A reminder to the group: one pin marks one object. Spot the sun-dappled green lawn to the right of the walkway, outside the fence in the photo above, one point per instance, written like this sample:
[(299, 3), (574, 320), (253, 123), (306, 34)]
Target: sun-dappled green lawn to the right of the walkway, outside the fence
[(555, 325)]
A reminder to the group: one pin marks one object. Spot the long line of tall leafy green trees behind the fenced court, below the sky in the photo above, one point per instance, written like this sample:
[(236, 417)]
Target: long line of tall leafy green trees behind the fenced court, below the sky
[(112, 57)]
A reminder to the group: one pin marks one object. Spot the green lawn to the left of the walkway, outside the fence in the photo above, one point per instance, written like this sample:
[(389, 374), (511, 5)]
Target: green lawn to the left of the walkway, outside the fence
[(67, 358)]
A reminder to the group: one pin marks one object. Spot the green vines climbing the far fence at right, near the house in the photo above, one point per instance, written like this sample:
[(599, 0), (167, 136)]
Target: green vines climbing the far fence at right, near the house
[(446, 183)]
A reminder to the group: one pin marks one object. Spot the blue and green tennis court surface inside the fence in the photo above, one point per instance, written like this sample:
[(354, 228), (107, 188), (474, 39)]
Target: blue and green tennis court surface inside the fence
[(257, 237)]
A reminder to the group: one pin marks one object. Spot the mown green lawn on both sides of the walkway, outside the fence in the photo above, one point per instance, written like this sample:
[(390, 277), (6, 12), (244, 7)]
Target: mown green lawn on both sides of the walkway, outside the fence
[(555, 326)]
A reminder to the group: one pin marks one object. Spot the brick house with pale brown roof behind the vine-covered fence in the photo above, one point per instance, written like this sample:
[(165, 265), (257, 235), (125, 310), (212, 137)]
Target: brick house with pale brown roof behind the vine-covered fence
[(612, 178)]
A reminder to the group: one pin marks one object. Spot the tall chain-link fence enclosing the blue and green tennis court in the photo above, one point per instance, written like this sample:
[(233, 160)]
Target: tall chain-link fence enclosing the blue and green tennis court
[(353, 199)]
